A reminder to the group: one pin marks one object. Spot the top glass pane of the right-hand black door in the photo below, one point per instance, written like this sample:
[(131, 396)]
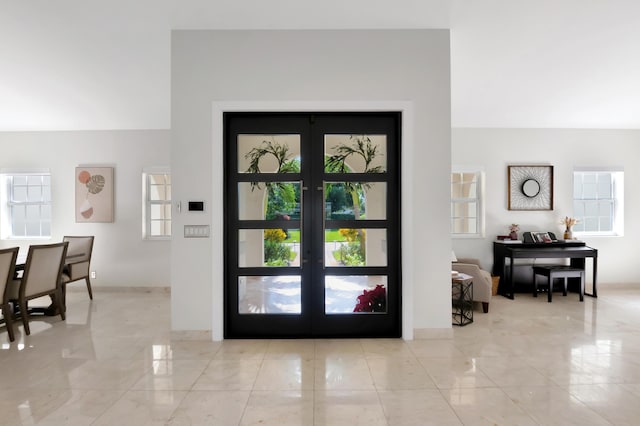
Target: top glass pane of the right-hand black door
[(355, 153)]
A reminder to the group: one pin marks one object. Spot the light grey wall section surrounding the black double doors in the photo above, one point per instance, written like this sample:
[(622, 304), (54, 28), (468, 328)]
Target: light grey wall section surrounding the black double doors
[(311, 66)]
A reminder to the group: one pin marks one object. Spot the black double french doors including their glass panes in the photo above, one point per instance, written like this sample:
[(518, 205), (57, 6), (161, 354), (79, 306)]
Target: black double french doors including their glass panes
[(312, 225)]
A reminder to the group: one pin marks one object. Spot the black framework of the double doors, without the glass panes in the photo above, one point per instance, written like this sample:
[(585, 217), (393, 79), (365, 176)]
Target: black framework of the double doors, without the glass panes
[(366, 325)]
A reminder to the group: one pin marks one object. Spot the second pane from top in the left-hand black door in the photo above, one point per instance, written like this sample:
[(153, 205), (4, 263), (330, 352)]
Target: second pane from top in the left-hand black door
[(269, 201)]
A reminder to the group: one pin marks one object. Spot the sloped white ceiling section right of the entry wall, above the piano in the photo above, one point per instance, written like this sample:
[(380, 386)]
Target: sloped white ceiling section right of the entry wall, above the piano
[(545, 64)]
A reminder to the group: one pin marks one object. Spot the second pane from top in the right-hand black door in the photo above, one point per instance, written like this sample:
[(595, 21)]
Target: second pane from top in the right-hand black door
[(355, 201)]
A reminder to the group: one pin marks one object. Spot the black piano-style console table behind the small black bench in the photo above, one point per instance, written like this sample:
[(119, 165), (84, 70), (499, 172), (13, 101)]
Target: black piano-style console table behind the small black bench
[(576, 251)]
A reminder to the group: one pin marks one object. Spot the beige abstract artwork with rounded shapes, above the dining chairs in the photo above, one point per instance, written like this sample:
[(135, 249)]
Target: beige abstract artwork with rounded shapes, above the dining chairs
[(94, 194)]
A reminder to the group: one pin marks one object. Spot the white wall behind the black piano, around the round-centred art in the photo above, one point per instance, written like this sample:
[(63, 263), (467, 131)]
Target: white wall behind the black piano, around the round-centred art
[(495, 149)]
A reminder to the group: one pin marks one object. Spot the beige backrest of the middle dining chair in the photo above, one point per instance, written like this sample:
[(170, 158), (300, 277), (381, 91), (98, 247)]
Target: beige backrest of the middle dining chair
[(43, 269)]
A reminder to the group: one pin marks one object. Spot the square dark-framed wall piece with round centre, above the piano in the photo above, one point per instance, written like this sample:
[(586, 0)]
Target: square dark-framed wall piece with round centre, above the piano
[(530, 187)]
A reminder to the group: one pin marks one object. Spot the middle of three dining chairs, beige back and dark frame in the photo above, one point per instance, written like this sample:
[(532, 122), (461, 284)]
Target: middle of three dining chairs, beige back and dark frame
[(41, 277)]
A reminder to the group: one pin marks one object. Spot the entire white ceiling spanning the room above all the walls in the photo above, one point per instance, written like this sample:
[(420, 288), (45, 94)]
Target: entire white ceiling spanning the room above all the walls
[(78, 64)]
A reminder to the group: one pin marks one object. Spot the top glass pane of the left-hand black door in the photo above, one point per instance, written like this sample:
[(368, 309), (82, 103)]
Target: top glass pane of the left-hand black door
[(269, 153)]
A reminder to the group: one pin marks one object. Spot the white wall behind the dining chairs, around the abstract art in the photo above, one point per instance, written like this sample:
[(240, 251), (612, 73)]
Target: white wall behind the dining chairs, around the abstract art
[(121, 258)]
